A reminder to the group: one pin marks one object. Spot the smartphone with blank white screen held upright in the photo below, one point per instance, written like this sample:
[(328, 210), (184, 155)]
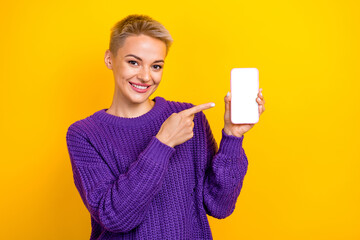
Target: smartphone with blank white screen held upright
[(244, 85)]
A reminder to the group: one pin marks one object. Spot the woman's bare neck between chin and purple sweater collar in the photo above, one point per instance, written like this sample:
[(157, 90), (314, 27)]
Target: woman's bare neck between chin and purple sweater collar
[(129, 110)]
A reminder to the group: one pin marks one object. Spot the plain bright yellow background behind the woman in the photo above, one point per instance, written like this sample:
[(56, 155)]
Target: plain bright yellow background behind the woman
[(303, 177)]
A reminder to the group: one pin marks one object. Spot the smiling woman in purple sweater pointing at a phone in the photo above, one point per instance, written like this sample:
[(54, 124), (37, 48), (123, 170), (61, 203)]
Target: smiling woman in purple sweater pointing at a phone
[(150, 168)]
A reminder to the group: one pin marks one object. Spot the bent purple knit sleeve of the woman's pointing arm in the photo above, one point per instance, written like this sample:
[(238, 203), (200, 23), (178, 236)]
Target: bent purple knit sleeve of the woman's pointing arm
[(120, 203)]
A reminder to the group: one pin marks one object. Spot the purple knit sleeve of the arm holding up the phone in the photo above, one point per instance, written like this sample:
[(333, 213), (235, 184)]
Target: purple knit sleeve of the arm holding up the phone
[(225, 172)]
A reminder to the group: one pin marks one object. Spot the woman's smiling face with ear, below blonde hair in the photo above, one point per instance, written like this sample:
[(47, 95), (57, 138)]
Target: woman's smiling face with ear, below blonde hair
[(137, 68)]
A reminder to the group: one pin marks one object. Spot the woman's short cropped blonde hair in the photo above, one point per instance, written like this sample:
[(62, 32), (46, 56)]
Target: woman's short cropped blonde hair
[(136, 24)]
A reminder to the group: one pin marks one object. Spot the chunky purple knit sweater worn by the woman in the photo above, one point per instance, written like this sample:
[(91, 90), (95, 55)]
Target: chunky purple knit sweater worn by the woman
[(136, 187)]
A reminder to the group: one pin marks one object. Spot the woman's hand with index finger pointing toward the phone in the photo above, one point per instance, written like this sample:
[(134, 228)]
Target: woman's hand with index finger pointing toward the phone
[(178, 128)]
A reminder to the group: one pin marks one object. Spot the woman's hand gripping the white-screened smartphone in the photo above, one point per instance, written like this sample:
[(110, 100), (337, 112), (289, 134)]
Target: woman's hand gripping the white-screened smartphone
[(238, 130)]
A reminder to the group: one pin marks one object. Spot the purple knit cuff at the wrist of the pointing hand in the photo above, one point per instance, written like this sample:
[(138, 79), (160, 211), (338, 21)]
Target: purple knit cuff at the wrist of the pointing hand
[(158, 150)]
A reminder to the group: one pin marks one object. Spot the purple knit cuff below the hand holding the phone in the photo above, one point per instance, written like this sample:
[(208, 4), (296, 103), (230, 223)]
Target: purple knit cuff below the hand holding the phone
[(231, 145)]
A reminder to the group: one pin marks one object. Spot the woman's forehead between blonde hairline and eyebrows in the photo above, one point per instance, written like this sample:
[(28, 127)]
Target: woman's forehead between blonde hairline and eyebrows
[(143, 46)]
